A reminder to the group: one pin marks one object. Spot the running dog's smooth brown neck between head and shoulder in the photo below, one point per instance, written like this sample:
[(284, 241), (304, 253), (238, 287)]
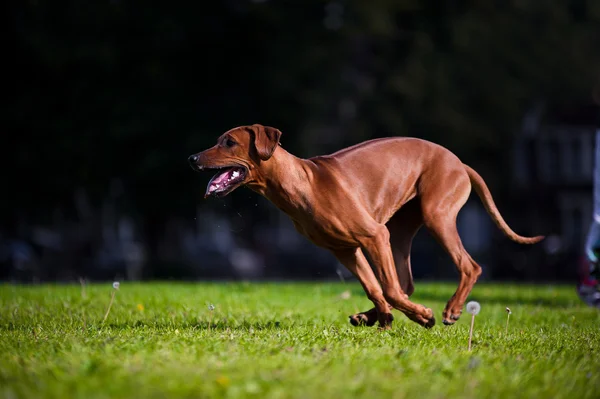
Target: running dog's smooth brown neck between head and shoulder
[(286, 181)]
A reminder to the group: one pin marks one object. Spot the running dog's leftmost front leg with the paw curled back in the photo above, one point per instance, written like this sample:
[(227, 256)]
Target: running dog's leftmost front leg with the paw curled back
[(355, 261)]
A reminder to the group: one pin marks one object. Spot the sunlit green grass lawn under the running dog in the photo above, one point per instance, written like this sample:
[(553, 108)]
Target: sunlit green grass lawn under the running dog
[(290, 341)]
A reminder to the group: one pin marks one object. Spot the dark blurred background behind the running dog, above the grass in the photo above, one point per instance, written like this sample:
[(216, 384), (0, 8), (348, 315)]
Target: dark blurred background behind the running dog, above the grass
[(107, 99)]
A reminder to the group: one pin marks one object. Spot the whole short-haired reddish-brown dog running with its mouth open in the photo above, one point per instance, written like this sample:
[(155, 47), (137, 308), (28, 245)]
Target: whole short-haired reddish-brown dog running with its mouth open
[(370, 199)]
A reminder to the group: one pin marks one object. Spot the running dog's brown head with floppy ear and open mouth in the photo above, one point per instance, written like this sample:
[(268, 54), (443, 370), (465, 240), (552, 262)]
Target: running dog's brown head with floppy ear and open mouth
[(236, 157)]
